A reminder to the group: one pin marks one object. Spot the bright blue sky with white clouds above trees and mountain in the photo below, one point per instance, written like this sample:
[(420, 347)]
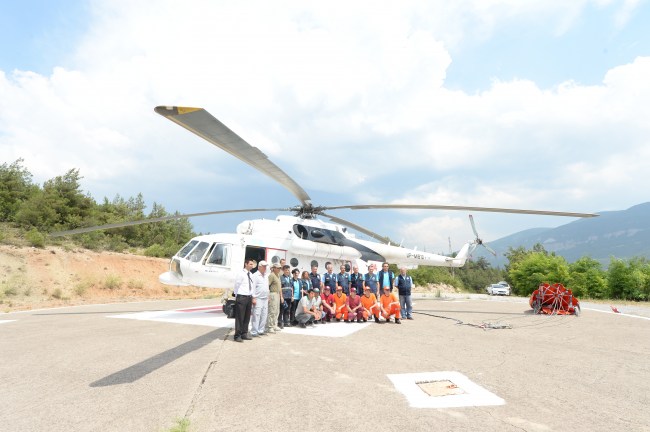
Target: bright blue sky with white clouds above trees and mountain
[(537, 104)]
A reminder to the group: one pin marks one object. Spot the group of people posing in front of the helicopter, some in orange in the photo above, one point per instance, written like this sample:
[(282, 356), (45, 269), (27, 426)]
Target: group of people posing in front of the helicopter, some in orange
[(270, 300)]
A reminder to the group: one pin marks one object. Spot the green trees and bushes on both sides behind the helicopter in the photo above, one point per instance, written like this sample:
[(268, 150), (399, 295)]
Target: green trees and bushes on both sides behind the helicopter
[(60, 205)]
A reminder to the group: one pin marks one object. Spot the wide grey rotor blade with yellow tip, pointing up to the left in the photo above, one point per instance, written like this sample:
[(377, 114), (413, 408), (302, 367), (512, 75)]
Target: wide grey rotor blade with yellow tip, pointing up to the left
[(203, 124)]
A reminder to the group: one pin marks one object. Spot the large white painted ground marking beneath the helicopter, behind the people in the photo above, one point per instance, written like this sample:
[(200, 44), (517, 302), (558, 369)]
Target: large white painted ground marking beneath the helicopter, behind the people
[(212, 316)]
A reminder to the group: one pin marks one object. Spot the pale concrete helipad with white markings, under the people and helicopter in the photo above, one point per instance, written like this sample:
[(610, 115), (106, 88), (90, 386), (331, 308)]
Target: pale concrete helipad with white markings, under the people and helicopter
[(140, 366)]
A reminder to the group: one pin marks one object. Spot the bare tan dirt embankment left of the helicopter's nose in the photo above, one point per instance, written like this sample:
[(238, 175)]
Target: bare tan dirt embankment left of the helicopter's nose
[(32, 278)]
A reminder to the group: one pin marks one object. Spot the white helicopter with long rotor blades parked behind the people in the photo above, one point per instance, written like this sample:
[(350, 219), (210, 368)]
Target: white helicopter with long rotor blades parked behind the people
[(302, 240)]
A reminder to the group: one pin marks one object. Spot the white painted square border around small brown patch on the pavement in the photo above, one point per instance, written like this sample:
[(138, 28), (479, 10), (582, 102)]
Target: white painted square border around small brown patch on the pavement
[(473, 394)]
